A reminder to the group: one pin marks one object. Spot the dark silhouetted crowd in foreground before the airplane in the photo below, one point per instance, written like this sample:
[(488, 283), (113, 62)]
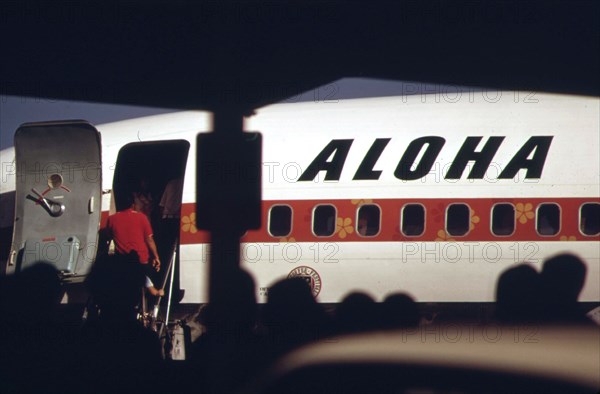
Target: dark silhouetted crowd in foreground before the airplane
[(114, 353)]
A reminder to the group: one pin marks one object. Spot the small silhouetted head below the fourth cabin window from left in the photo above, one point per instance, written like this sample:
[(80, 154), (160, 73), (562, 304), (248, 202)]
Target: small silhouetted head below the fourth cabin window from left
[(399, 311)]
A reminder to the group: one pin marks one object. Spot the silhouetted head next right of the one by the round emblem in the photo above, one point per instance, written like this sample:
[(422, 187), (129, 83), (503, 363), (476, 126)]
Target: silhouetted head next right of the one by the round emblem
[(356, 313)]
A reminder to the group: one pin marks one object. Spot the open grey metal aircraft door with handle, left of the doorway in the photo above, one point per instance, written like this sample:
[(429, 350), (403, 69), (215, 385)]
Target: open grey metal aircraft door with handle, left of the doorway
[(58, 196)]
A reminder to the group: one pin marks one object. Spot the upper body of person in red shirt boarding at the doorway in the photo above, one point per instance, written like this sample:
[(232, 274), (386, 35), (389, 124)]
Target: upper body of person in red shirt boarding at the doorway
[(131, 232)]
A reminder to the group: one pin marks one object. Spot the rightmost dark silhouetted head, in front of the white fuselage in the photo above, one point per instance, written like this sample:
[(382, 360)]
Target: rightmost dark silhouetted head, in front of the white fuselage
[(563, 277)]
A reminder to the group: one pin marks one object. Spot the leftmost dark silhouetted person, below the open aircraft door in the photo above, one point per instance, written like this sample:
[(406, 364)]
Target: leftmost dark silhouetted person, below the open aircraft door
[(35, 344)]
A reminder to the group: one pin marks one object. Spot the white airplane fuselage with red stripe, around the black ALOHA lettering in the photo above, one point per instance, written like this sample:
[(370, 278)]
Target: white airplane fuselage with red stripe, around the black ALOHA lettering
[(433, 266)]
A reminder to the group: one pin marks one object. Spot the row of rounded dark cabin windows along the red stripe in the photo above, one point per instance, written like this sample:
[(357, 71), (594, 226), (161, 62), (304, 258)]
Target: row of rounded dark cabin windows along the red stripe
[(458, 220)]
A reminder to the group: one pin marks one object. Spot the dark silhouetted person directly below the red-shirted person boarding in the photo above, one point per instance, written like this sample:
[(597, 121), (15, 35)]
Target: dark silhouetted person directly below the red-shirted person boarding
[(118, 354)]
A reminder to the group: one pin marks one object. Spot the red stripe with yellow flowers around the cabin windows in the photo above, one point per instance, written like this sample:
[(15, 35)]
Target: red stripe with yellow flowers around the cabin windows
[(435, 211)]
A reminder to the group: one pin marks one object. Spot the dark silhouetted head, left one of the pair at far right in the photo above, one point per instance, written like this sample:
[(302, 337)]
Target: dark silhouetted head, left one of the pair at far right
[(518, 294)]
